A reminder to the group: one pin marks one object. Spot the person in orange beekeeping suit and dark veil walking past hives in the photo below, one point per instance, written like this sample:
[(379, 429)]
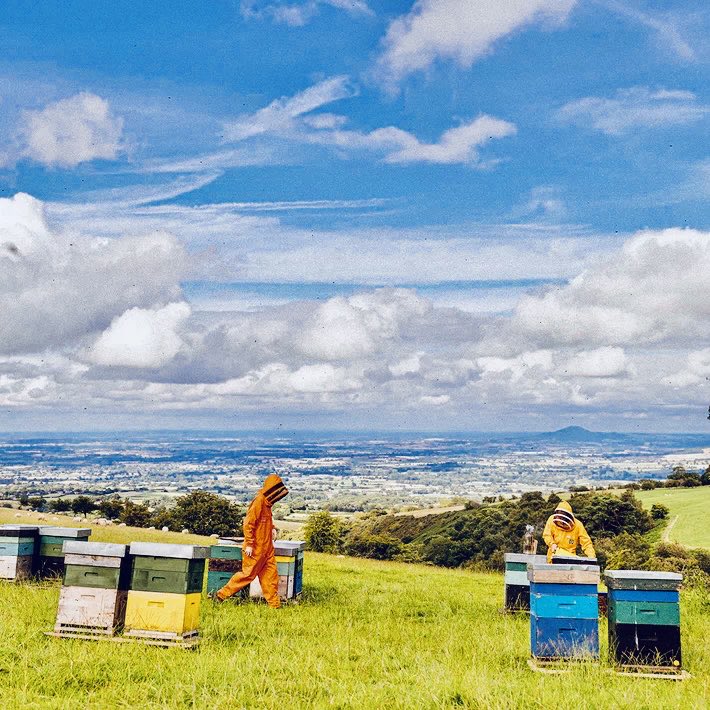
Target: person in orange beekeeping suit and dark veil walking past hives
[(259, 558)]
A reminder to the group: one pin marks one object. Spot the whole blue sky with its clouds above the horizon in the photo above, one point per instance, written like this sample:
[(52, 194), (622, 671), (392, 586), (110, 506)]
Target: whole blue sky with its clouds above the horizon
[(402, 214)]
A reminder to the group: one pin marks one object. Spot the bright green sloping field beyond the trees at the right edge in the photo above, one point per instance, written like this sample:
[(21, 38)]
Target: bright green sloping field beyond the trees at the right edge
[(689, 513)]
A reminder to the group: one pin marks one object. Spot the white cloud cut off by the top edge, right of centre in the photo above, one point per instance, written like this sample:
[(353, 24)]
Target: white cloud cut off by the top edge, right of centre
[(460, 30)]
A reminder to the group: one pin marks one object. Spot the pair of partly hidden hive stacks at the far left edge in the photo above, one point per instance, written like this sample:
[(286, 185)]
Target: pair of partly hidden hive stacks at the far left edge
[(28, 551)]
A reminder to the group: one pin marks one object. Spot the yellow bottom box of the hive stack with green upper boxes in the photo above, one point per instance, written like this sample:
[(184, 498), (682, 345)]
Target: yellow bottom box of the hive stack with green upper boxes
[(163, 612)]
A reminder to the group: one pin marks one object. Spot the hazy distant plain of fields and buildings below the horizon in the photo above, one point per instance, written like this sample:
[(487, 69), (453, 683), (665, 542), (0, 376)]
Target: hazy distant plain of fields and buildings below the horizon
[(336, 472)]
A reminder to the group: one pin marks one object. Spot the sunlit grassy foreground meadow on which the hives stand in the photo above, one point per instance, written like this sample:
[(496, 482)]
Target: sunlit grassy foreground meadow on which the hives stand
[(365, 635)]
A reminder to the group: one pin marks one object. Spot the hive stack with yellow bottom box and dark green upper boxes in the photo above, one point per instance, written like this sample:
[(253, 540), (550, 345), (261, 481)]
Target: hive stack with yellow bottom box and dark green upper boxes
[(166, 587)]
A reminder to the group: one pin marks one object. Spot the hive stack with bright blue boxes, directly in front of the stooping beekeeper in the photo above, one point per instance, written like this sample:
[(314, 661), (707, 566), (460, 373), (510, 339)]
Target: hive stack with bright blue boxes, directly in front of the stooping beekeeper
[(564, 611)]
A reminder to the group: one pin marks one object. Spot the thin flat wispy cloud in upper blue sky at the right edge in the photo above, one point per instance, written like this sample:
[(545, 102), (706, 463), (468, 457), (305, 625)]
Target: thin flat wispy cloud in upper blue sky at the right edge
[(630, 109)]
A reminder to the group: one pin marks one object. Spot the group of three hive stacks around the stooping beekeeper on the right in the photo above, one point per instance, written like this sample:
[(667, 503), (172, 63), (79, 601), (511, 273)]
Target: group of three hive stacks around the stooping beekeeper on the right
[(644, 611)]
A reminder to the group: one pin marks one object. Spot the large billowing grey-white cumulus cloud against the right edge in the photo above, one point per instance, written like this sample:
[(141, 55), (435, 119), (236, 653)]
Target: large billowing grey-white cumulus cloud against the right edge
[(647, 293)]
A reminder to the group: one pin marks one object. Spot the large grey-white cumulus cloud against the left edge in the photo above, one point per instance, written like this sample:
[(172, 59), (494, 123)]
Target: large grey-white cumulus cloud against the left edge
[(55, 288)]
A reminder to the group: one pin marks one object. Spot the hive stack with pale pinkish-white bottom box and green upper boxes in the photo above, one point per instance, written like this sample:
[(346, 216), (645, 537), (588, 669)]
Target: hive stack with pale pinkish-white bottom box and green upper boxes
[(93, 596)]
